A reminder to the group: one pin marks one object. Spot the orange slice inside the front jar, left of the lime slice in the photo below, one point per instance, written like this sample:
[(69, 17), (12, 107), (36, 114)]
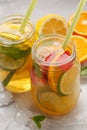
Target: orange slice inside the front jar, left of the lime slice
[(55, 73)]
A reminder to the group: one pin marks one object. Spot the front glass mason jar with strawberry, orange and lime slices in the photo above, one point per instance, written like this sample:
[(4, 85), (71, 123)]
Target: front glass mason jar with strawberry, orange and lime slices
[(55, 75)]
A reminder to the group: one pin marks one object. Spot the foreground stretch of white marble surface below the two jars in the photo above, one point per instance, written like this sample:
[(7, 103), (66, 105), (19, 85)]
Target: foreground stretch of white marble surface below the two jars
[(16, 111)]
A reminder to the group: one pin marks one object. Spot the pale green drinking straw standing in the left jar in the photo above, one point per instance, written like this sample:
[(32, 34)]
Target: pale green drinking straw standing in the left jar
[(28, 14)]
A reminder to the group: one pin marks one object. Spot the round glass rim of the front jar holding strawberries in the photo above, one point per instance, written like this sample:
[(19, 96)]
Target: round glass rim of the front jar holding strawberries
[(41, 62)]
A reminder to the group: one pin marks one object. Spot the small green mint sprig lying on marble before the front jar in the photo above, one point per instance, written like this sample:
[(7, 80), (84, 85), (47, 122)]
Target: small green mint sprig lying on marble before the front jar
[(38, 119)]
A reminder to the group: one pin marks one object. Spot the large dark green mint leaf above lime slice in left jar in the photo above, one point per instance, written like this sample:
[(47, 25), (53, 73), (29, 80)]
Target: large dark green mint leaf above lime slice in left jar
[(14, 52)]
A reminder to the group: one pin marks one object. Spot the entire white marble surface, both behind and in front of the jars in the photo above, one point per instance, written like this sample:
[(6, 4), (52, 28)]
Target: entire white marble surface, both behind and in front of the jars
[(16, 110)]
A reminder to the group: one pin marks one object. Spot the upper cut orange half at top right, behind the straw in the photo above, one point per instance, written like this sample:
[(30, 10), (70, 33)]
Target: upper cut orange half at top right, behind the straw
[(81, 27)]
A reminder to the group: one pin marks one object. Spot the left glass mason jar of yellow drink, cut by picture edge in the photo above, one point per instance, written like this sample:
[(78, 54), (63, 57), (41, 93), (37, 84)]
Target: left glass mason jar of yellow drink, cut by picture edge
[(15, 53)]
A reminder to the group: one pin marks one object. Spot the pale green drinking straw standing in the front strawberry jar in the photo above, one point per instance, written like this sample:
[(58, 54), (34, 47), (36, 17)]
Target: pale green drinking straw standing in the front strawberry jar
[(74, 22)]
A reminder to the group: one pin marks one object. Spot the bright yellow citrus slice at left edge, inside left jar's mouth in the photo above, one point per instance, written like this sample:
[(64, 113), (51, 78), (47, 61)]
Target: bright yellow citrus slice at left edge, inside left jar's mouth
[(9, 36)]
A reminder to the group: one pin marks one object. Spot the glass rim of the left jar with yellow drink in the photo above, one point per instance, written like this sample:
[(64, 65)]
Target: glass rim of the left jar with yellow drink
[(20, 18)]
